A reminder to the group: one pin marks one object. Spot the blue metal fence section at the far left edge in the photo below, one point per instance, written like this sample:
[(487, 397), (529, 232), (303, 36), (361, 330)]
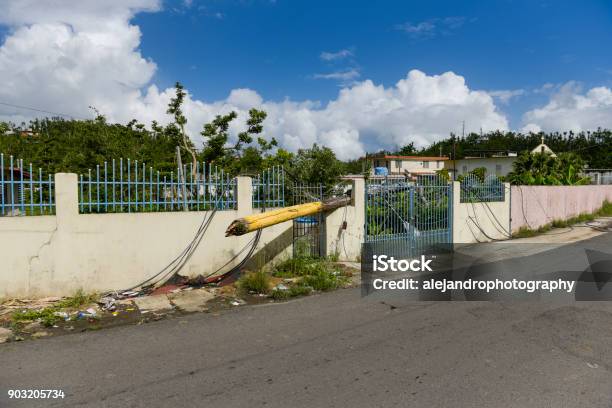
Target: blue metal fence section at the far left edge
[(24, 190)]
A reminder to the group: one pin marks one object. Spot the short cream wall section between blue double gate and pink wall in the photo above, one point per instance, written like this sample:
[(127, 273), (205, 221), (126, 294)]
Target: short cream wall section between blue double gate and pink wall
[(480, 222)]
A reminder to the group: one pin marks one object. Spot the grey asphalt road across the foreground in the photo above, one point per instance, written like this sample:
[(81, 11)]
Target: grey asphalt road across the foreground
[(336, 350)]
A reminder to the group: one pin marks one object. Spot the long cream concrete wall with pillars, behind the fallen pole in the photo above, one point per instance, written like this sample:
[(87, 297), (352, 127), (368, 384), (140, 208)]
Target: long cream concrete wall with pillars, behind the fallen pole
[(57, 255)]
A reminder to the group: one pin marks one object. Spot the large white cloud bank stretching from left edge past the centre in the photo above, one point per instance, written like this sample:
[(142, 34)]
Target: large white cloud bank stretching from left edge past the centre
[(70, 55)]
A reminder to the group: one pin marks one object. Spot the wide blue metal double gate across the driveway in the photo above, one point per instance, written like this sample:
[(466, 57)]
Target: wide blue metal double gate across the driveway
[(408, 218)]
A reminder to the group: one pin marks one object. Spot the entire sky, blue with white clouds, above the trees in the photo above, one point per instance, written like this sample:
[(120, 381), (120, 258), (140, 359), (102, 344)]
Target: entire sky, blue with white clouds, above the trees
[(354, 75)]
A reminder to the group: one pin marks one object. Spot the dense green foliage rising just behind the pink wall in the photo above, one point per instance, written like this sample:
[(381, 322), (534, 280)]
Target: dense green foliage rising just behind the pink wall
[(544, 169)]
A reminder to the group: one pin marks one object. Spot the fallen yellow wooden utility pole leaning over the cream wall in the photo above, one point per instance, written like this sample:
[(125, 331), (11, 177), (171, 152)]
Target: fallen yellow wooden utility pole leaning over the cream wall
[(266, 219)]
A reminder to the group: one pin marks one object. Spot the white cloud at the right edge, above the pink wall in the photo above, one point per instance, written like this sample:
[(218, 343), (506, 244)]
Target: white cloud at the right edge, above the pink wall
[(571, 109)]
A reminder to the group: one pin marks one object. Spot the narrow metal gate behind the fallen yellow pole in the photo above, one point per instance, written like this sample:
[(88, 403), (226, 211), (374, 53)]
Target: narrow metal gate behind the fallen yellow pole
[(307, 230)]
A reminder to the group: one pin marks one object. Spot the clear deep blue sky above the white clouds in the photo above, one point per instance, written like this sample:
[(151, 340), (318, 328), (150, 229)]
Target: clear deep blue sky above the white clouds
[(274, 47)]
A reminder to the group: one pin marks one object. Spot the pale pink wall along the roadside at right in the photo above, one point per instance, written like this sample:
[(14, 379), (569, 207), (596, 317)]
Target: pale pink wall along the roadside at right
[(534, 206)]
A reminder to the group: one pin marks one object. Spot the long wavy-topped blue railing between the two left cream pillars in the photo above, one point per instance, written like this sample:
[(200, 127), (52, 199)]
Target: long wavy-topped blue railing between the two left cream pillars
[(130, 186)]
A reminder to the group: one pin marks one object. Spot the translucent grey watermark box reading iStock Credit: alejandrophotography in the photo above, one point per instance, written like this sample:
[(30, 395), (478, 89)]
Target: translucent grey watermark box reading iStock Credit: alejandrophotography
[(503, 271)]
